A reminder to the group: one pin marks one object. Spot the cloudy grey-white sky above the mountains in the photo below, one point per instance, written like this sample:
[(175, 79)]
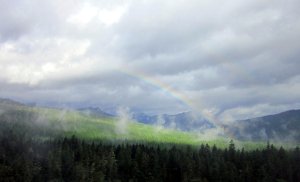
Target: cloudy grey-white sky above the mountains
[(227, 60)]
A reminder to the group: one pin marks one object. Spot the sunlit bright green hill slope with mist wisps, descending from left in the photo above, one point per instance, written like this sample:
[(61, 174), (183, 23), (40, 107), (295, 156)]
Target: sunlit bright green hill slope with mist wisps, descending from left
[(49, 122)]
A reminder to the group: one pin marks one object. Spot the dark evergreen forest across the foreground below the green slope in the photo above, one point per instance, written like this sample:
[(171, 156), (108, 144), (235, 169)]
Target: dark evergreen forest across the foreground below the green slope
[(71, 159)]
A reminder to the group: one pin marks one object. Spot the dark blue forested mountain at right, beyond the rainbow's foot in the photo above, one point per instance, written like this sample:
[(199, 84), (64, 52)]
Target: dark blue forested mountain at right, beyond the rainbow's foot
[(284, 126)]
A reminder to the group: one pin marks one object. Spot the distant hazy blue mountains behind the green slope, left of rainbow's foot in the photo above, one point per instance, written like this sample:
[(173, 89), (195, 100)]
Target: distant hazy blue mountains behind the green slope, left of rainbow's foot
[(186, 121)]
